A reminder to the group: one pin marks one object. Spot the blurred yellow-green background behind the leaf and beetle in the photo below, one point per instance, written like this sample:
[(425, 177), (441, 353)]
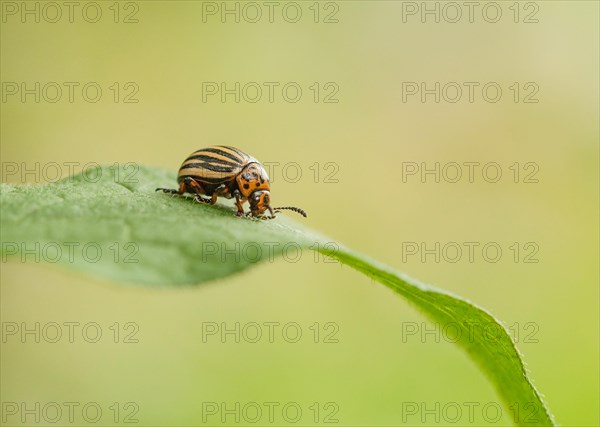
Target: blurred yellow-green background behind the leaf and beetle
[(361, 161)]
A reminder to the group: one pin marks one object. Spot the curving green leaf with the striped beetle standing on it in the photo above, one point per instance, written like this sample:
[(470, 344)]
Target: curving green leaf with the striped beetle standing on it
[(110, 222)]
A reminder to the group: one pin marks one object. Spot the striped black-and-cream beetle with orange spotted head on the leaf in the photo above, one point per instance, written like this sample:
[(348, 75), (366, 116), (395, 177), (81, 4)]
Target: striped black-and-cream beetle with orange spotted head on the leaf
[(223, 171)]
